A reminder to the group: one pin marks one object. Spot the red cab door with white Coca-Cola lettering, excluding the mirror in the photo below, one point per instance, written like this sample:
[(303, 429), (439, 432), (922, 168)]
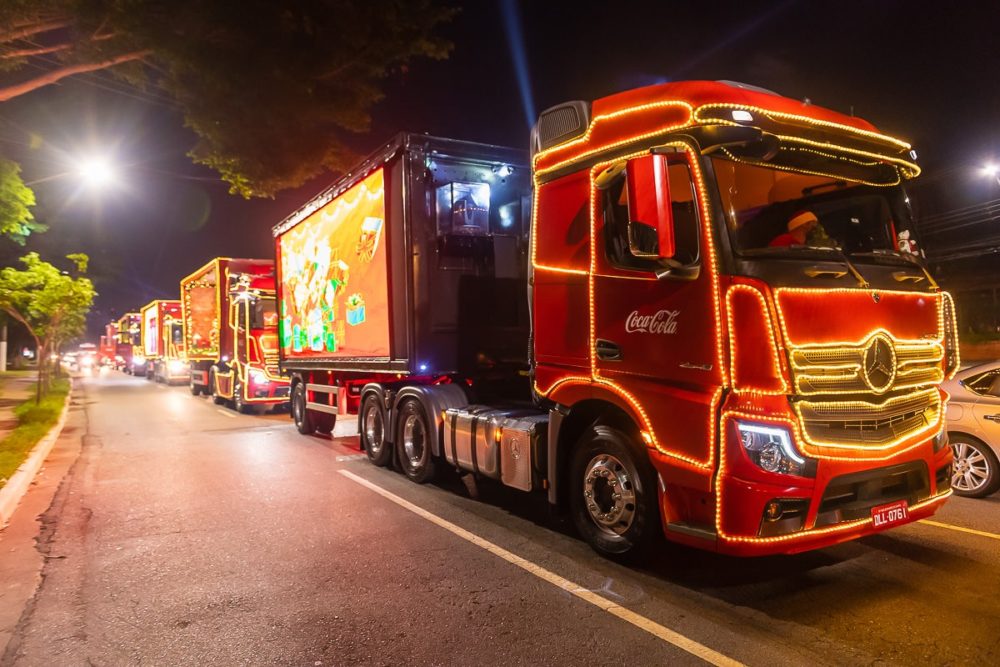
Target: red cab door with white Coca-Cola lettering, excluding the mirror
[(655, 322)]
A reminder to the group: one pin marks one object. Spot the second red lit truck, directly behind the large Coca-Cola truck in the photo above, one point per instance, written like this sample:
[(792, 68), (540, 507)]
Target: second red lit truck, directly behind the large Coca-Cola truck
[(231, 333)]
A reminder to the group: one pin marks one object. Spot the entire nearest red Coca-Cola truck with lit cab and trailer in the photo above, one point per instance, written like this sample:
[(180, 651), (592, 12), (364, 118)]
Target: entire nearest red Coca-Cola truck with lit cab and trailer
[(701, 312)]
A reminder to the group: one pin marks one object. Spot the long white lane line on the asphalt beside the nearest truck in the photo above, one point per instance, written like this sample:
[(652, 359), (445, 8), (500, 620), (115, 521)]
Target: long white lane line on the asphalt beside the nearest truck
[(659, 631)]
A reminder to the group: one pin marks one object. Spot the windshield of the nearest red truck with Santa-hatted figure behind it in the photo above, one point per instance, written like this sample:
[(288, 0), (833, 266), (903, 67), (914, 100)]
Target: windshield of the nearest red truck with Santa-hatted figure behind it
[(772, 211)]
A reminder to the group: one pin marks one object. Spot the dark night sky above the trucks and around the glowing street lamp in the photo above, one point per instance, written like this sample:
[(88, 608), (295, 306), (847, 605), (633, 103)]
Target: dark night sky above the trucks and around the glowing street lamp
[(926, 72)]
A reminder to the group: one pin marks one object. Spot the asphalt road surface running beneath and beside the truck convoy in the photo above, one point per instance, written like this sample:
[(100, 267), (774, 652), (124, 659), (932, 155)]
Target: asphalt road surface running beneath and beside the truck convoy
[(184, 533)]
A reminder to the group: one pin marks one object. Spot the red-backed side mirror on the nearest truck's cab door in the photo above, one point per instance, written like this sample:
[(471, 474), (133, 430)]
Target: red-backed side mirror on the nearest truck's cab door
[(651, 218)]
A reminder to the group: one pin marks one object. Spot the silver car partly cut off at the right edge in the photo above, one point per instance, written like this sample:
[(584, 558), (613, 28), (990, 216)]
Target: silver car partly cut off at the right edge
[(974, 429)]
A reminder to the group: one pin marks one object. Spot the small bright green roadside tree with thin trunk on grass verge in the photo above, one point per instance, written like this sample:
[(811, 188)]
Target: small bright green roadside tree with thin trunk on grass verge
[(51, 304)]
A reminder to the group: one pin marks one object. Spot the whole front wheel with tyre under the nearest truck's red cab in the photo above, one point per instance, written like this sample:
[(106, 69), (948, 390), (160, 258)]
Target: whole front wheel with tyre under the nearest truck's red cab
[(613, 495)]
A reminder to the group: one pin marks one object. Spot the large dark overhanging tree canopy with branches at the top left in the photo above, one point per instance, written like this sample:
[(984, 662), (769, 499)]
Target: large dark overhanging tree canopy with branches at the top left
[(271, 89)]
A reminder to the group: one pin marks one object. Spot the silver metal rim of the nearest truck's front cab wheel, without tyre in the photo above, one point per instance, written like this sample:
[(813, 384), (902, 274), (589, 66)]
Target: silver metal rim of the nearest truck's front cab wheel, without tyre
[(609, 494)]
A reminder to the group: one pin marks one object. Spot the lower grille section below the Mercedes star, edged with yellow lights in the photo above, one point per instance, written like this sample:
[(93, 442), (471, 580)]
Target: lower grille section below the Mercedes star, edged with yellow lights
[(868, 424)]
